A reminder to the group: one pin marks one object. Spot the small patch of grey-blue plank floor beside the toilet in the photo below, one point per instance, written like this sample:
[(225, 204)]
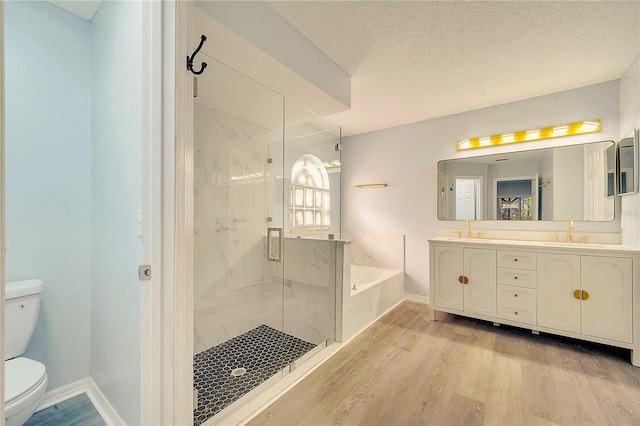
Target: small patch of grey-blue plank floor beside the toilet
[(76, 411)]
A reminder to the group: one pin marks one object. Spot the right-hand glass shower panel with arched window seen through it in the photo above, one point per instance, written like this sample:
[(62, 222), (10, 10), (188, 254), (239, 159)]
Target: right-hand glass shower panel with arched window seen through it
[(312, 223)]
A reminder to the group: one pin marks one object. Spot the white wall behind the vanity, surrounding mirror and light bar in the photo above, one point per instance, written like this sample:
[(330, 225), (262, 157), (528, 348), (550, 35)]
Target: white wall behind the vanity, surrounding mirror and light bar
[(406, 158)]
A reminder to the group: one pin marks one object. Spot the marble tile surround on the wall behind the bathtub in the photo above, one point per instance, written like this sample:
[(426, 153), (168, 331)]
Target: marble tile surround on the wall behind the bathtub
[(380, 250)]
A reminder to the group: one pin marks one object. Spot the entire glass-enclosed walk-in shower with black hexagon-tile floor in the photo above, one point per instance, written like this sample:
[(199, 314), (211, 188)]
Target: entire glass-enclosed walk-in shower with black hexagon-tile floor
[(267, 197)]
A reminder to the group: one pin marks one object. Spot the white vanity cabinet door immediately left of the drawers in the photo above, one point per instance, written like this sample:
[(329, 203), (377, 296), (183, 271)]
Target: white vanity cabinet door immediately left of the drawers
[(480, 290)]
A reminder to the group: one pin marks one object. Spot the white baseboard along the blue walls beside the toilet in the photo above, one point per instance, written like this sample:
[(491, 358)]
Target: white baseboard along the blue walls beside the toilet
[(95, 395)]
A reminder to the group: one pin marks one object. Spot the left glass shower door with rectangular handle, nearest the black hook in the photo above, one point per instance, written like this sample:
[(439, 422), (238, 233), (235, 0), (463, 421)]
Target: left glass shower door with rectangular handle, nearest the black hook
[(237, 291)]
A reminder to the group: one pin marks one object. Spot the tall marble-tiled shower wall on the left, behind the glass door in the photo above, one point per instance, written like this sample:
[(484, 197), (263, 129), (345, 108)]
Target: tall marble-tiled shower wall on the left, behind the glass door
[(230, 214)]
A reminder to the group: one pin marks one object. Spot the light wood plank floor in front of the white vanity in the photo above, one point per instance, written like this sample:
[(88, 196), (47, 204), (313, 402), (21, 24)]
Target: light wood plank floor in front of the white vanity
[(407, 370)]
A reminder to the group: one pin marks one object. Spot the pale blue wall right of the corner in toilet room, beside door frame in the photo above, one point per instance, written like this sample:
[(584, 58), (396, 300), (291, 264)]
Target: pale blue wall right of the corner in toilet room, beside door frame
[(116, 196)]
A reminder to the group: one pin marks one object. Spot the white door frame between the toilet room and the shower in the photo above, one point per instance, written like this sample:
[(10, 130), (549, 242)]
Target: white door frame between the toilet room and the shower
[(158, 136)]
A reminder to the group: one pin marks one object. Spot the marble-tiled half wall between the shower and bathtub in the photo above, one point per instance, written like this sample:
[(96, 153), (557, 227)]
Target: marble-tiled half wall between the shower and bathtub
[(309, 289)]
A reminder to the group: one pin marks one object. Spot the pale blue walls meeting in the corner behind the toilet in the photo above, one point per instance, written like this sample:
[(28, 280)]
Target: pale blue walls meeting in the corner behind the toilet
[(73, 186)]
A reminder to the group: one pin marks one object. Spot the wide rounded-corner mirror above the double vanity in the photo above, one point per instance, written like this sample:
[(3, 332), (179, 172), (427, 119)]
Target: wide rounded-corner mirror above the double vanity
[(575, 182)]
